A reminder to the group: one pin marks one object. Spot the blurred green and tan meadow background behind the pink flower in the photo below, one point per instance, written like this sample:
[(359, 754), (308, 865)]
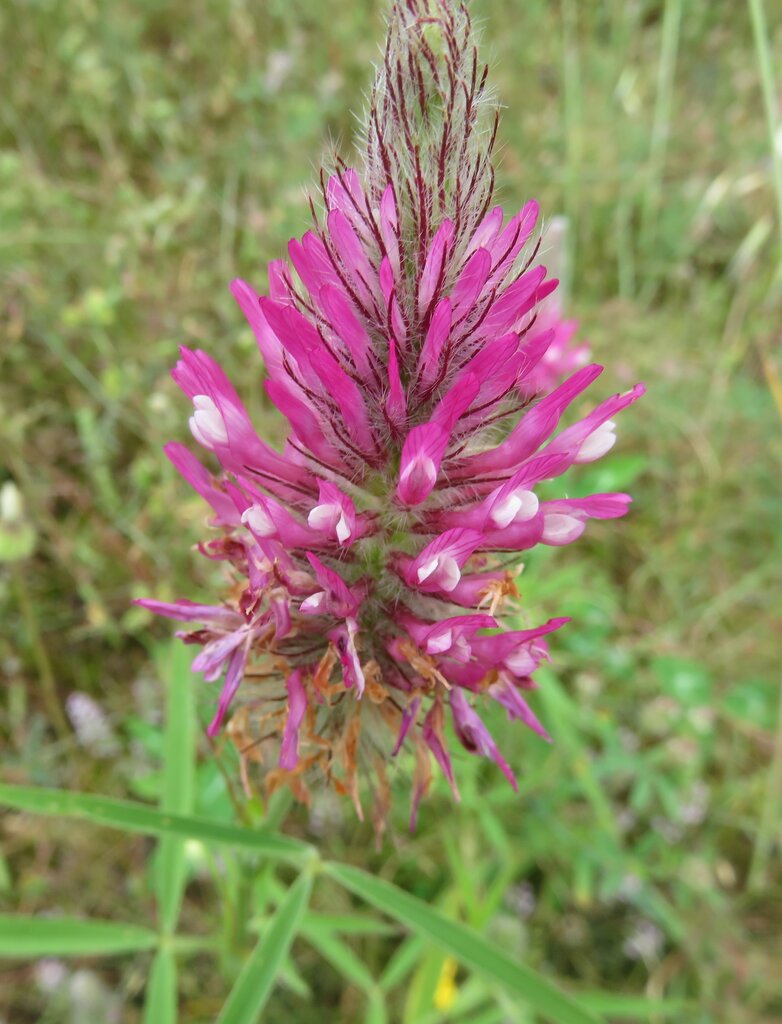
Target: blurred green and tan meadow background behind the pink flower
[(149, 153)]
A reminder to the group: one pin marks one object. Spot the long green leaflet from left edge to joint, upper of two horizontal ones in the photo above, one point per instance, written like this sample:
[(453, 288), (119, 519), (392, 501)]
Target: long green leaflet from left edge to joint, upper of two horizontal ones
[(132, 817)]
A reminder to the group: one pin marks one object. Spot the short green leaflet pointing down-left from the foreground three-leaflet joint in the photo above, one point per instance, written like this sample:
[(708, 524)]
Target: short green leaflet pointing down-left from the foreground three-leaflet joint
[(254, 986)]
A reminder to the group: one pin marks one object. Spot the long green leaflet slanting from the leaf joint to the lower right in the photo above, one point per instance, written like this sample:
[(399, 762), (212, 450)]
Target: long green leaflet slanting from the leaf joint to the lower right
[(469, 948)]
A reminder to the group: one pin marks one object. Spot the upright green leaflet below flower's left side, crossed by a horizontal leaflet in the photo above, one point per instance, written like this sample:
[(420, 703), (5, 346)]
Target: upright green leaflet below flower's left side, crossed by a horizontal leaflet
[(179, 784)]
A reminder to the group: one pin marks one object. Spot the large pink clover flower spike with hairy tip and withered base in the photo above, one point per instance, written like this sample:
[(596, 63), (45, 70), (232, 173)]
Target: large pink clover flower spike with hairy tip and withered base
[(402, 340)]
